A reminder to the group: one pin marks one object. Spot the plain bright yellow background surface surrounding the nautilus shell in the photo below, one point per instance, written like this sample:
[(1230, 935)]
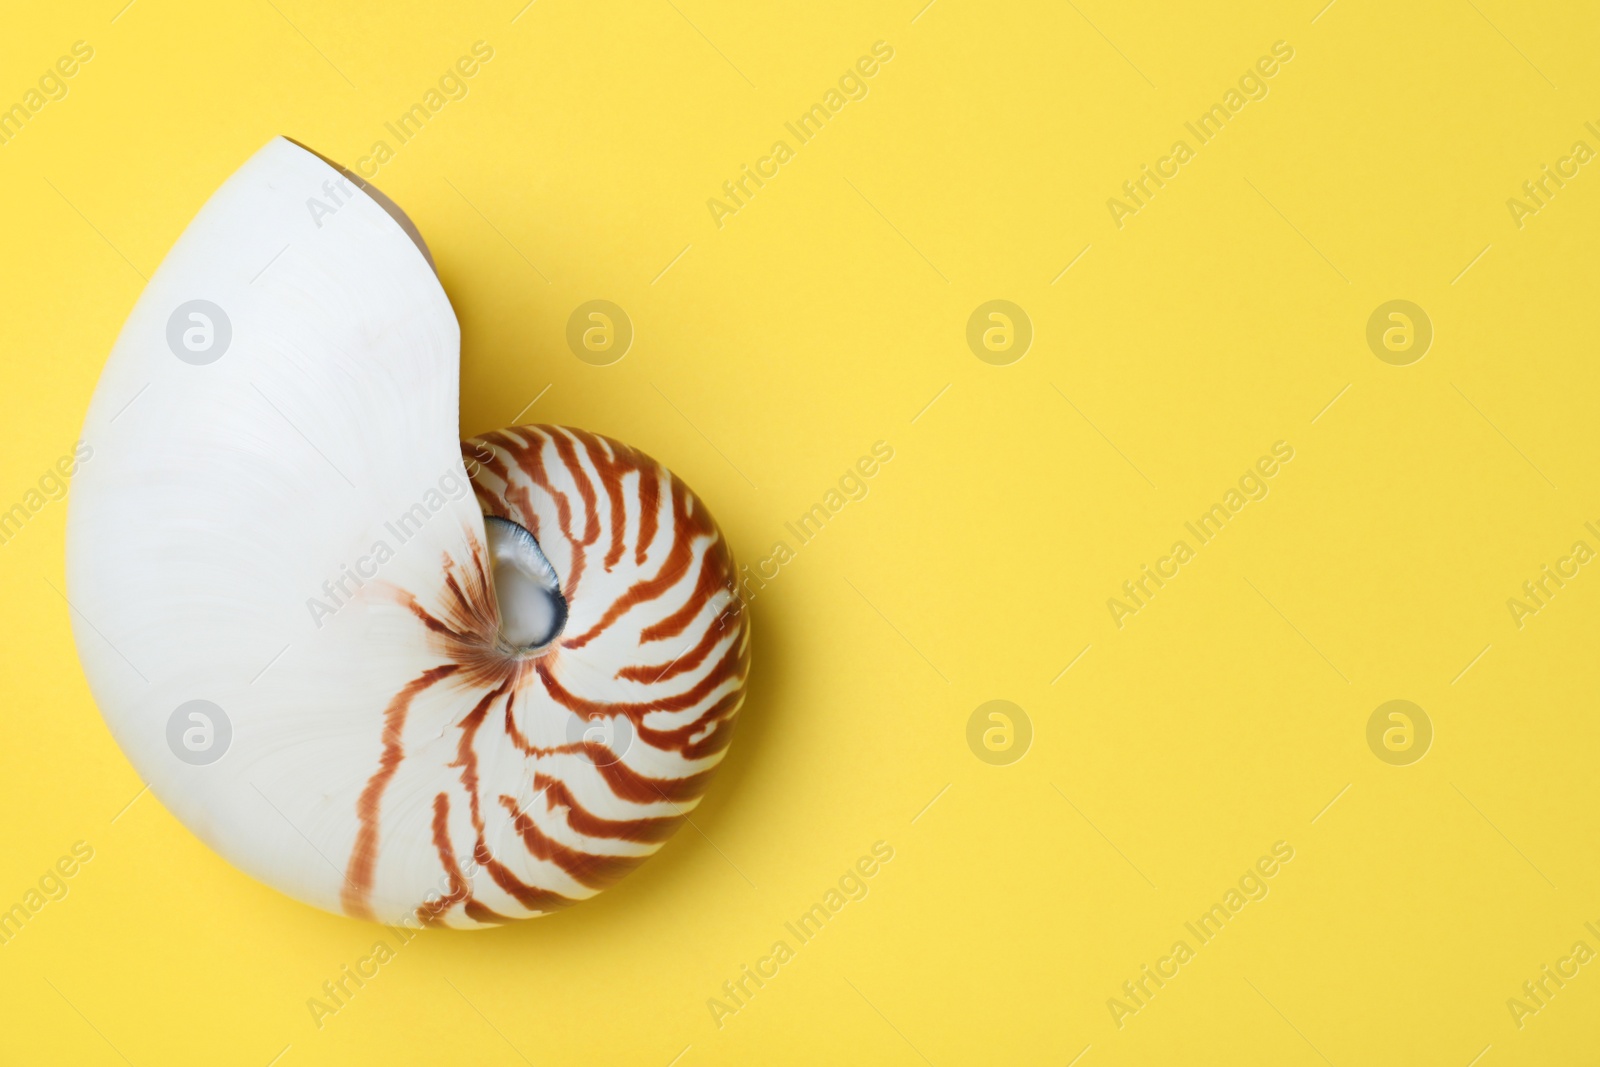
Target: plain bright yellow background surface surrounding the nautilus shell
[(825, 318)]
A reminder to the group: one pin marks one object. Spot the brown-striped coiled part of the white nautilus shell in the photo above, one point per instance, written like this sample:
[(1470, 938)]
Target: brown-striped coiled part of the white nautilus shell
[(537, 781)]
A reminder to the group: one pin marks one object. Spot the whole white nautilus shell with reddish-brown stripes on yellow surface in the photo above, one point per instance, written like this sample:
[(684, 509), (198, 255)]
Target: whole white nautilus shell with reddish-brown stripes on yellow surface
[(388, 673)]
